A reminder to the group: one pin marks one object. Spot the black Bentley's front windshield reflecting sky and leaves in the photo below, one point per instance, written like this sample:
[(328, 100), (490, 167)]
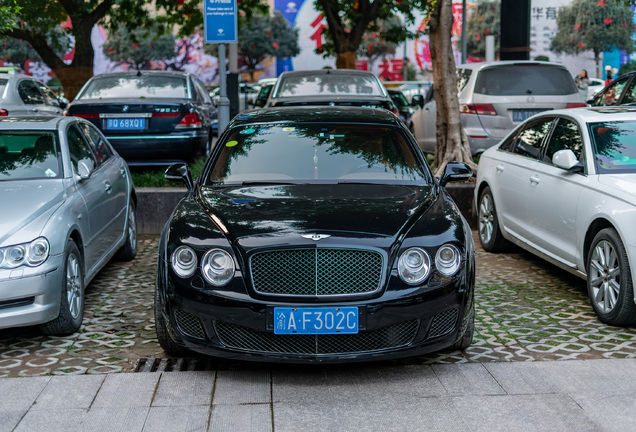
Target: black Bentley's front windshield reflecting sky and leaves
[(316, 152)]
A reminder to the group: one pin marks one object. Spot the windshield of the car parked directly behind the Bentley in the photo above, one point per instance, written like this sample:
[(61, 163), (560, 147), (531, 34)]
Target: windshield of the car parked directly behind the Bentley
[(329, 85)]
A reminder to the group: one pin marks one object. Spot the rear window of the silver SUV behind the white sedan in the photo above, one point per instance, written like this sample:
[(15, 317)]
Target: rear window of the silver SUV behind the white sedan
[(524, 80)]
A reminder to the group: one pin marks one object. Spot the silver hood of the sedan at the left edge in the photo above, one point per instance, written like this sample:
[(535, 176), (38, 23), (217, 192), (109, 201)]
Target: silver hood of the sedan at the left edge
[(28, 204)]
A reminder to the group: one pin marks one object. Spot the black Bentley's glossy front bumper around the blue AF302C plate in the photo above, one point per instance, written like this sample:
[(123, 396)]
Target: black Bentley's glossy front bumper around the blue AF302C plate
[(396, 324)]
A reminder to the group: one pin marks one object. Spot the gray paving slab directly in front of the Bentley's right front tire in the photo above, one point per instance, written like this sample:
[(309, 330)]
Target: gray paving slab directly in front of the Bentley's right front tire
[(467, 379)]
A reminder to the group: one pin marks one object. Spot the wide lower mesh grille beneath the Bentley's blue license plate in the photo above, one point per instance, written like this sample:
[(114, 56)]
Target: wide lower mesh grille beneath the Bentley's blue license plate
[(245, 339)]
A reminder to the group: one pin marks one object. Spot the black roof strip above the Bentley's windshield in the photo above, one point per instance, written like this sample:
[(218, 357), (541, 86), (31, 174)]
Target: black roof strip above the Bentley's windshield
[(317, 114)]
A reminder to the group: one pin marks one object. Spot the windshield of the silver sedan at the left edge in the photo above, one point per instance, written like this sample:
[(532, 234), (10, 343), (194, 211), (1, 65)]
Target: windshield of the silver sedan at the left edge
[(29, 155)]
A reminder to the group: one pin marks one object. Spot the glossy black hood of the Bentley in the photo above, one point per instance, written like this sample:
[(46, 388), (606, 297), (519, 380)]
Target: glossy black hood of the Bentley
[(350, 210)]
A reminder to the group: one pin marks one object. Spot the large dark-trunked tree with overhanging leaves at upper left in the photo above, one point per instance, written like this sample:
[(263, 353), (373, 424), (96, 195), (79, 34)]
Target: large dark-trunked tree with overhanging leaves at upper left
[(37, 19)]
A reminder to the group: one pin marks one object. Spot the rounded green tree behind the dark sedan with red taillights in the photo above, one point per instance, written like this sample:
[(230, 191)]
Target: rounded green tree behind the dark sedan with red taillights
[(139, 46)]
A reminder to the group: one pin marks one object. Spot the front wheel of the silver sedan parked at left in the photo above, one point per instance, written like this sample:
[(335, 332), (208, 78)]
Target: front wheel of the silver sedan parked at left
[(71, 313)]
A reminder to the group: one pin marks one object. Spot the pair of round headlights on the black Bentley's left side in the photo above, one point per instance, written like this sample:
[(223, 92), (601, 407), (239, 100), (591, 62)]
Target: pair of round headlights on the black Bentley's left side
[(217, 266)]
